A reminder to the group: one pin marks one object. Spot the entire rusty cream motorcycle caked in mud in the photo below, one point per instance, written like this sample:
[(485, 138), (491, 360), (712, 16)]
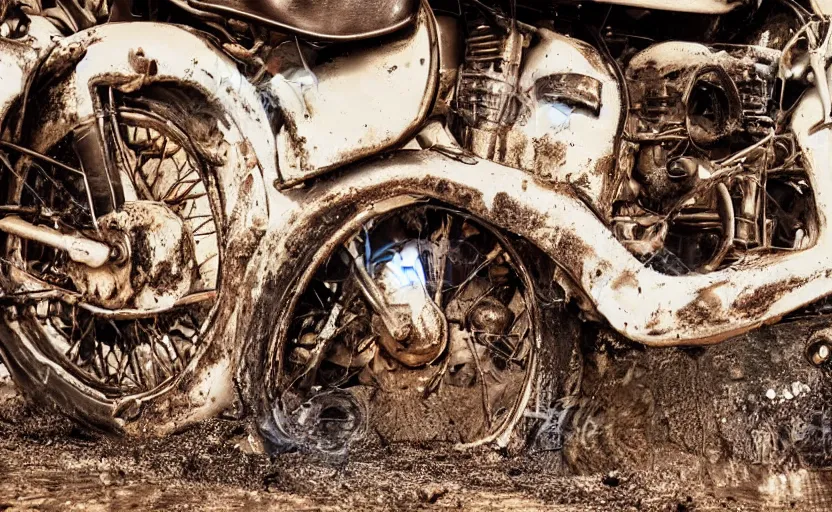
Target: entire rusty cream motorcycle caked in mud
[(336, 215)]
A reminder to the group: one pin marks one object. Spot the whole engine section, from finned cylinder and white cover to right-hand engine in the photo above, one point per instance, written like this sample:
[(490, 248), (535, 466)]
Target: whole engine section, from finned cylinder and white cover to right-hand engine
[(683, 145)]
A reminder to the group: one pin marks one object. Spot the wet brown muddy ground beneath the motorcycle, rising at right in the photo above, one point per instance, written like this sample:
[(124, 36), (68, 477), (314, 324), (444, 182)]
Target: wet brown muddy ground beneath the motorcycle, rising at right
[(745, 425)]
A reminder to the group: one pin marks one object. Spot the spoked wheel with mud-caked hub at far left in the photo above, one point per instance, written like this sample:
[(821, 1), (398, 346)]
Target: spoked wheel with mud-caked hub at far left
[(130, 327)]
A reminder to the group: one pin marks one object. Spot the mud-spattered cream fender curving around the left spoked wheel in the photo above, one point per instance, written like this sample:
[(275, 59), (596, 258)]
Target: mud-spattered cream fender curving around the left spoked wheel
[(128, 57)]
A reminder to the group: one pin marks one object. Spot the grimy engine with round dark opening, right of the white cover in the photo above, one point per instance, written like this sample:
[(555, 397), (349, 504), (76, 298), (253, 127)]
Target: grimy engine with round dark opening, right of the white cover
[(698, 112)]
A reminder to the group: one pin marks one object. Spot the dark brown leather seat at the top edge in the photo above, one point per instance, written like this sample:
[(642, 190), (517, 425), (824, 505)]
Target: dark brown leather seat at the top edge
[(328, 20)]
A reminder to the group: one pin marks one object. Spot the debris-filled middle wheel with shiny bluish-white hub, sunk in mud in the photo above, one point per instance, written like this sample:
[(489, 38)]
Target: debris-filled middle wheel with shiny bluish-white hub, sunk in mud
[(422, 327)]
